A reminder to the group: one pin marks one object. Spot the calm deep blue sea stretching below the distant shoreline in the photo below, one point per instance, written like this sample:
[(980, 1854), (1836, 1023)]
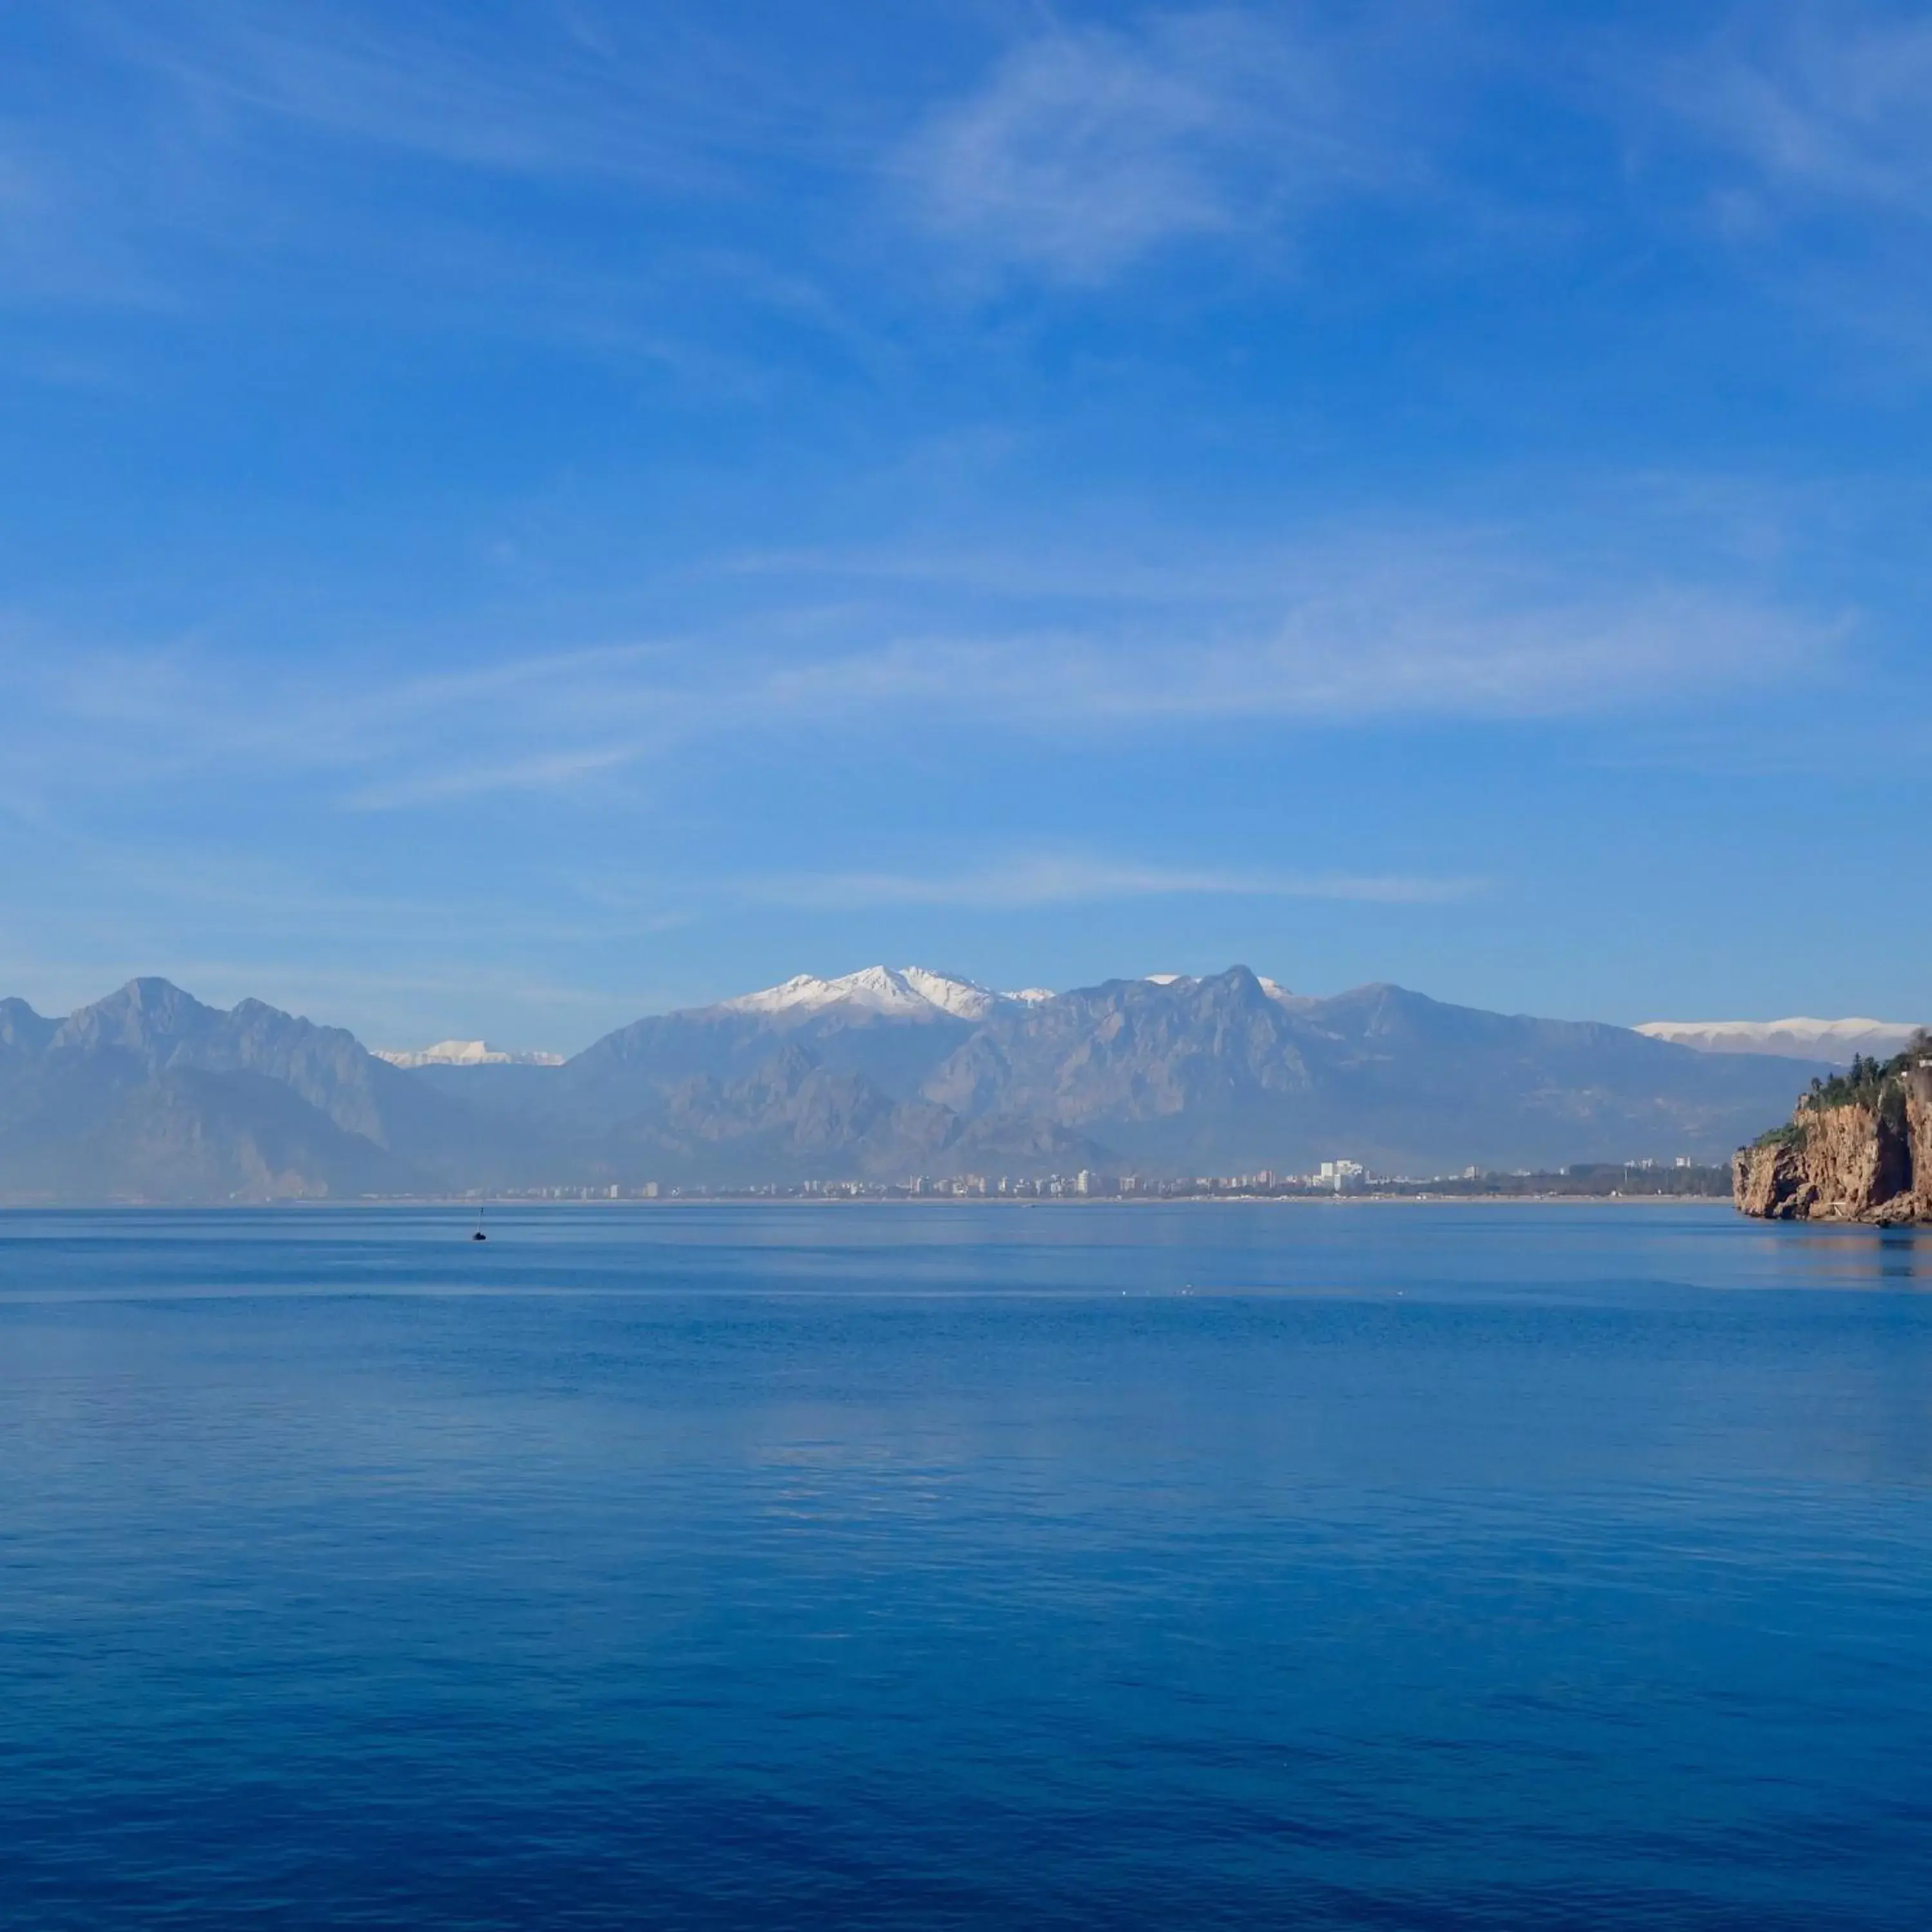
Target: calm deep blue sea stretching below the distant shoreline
[(1197, 1566)]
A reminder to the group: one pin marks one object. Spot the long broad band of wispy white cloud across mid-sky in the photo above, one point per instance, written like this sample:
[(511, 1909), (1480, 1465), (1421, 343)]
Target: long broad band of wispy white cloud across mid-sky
[(1351, 633)]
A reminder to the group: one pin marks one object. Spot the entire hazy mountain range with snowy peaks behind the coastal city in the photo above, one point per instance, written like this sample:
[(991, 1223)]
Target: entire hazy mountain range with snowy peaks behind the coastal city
[(878, 1075)]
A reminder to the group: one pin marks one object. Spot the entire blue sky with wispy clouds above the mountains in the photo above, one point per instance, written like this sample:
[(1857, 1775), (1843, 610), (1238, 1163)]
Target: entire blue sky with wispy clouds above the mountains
[(525, 515)]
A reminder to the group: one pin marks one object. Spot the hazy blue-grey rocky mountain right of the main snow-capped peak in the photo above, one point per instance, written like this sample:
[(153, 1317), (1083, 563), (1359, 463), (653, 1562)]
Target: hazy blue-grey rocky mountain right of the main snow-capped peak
[(1226, 1073)]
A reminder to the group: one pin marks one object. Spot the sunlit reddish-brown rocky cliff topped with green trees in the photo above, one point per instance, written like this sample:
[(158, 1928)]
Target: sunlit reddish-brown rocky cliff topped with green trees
[(1856, 1162)]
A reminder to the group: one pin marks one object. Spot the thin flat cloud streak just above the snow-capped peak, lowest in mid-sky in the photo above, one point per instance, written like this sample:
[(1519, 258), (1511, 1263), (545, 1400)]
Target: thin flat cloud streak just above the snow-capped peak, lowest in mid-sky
[(1046, 880)]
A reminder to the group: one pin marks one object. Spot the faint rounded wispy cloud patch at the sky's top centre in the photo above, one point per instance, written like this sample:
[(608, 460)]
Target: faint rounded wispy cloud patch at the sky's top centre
[(1093, 146)]
